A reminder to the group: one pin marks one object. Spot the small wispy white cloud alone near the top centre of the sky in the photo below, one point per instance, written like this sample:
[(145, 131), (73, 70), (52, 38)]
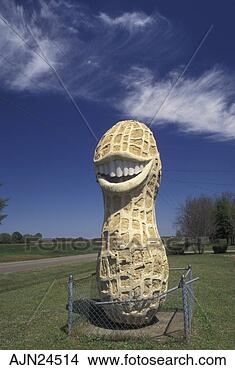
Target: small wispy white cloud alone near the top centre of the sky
[(131, 21)]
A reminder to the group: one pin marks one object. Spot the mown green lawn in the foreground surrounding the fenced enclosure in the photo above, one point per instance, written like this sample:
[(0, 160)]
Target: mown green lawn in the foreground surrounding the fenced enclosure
[(33, 315)]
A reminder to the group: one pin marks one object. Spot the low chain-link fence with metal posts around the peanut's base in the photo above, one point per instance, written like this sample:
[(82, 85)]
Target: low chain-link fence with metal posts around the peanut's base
[(89, 315)]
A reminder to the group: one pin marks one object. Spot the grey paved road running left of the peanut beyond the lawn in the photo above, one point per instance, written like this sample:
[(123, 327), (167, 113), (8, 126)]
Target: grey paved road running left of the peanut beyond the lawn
[(45, 262)]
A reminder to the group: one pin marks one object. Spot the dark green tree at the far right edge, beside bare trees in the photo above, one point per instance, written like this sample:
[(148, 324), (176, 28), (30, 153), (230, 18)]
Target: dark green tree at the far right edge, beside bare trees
[(223, 218)]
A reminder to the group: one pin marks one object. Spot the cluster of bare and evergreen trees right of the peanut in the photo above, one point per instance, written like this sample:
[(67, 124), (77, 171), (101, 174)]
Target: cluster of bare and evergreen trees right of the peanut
[(205, 216)]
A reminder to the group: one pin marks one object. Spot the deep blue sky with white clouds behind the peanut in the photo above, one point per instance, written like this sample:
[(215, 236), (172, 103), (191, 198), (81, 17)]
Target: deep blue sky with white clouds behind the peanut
[(119, 60)]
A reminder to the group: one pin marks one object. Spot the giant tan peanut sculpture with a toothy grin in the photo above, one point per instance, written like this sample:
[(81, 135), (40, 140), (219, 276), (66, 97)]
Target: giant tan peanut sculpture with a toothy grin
[(132, 265)]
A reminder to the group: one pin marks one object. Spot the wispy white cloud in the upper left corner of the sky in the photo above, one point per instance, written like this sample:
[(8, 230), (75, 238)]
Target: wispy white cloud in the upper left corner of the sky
[(20, 68)]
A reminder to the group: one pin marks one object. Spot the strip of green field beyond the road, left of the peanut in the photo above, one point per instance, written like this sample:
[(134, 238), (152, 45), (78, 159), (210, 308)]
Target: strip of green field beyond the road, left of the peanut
[(20, 252)]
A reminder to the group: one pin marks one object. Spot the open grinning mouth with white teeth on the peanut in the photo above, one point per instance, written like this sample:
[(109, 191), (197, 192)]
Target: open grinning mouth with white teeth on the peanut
[(117, 171)]
